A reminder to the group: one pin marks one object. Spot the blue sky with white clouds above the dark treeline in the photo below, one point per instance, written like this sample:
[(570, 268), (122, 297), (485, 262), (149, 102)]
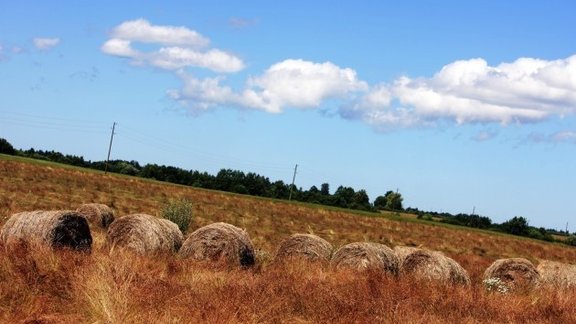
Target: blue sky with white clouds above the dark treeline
[(459, 105)]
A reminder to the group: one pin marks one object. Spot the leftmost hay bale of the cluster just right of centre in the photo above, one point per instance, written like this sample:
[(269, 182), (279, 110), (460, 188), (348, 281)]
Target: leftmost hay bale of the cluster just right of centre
[(307, 246)]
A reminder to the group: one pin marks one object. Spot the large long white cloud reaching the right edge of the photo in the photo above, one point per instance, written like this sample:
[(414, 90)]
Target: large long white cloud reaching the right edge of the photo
[(471, 91)]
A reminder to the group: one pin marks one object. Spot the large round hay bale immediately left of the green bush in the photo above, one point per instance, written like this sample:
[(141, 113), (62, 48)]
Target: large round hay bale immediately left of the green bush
[(144, 234)]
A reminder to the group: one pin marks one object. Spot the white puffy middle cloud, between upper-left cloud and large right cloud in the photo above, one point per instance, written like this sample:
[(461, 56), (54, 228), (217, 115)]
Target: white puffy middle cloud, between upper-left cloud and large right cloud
[(291, 83)]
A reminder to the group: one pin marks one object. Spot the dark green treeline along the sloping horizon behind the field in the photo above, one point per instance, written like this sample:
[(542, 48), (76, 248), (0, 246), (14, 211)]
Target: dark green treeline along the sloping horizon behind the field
[(257, 185)]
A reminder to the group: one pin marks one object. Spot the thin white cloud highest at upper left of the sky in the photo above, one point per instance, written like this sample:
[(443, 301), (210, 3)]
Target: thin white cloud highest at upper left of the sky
[(178, 48)]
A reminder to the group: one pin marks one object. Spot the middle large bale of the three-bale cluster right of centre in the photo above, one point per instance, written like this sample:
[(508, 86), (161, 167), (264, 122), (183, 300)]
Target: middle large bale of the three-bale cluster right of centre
[(366, 255)]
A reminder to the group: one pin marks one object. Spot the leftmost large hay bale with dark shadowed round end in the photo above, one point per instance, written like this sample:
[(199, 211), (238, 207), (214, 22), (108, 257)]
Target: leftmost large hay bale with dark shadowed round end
[(57, 229)]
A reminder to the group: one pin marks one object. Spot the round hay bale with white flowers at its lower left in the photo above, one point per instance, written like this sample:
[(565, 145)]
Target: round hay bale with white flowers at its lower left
[(514, 272)]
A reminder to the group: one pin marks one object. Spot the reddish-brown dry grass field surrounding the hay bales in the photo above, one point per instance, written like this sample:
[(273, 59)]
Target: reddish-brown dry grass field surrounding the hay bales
[(38, 284)]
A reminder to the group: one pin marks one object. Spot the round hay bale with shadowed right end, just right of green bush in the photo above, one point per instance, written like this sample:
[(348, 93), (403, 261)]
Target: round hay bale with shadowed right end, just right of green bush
[(220, 242)]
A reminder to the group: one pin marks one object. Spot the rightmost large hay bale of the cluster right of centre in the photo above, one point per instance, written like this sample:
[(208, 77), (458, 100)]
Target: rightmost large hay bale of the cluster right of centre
[(433, 265)]
